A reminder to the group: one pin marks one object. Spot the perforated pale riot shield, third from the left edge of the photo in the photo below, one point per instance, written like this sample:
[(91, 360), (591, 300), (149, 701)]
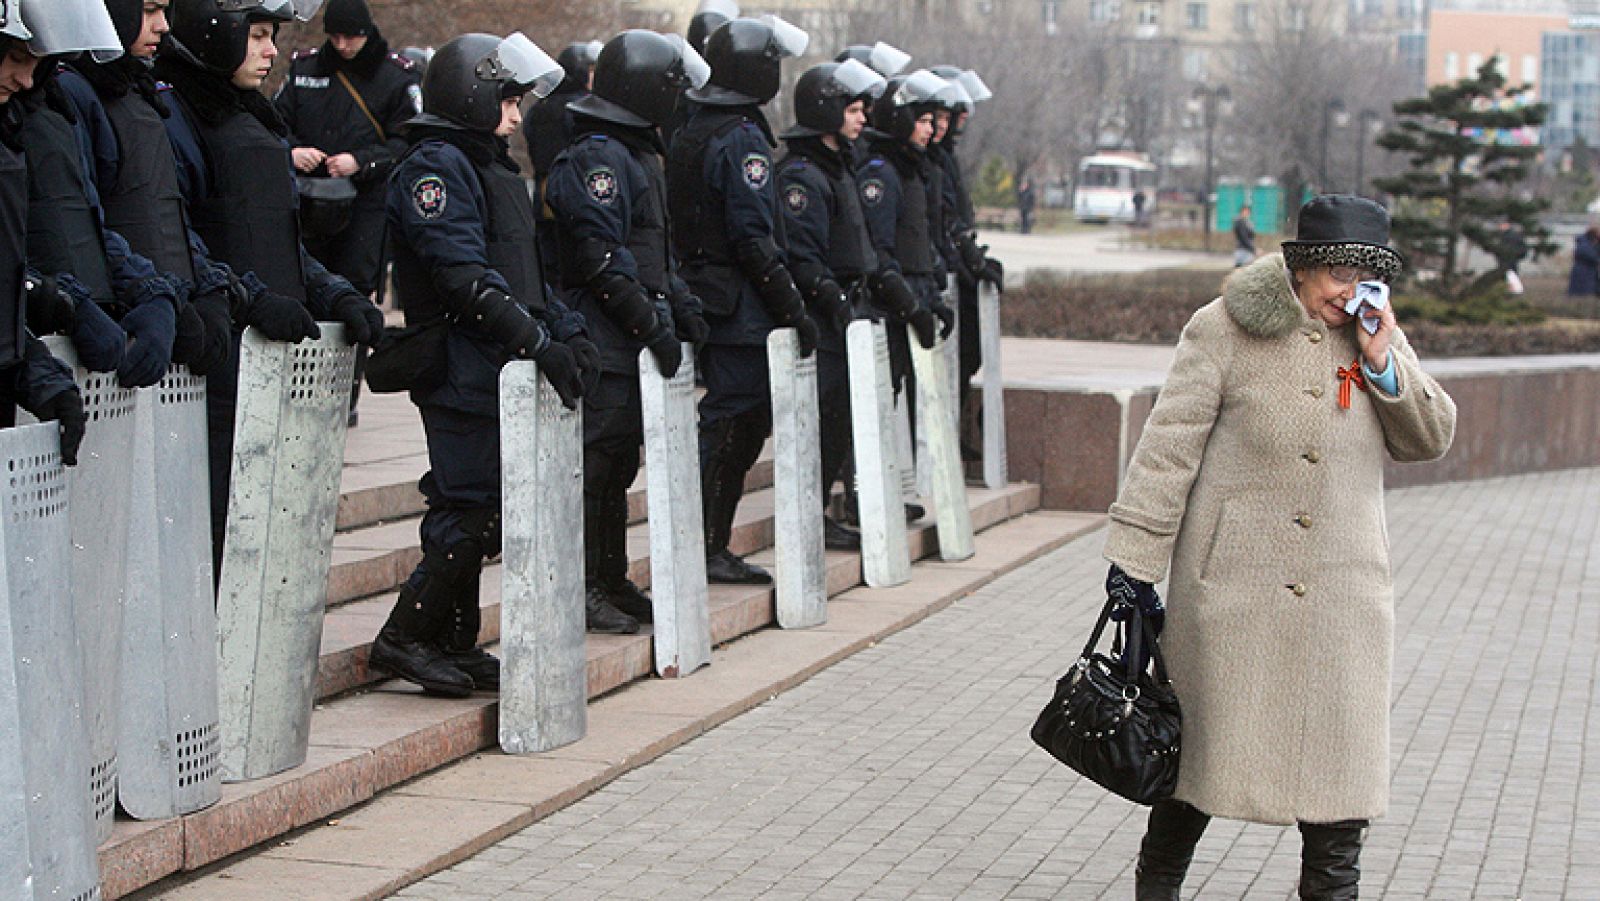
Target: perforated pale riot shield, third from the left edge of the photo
[(167, 727)]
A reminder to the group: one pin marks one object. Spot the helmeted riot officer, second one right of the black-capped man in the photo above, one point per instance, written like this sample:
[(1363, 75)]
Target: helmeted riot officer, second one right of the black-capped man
[(610, 199)]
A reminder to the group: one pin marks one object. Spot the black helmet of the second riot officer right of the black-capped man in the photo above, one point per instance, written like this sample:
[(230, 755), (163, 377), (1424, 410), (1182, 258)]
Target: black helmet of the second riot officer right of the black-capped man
[(641, 78)]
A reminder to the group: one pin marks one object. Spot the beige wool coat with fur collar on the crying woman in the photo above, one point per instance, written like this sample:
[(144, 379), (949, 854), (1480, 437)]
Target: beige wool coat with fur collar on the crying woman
[(1266, 500)]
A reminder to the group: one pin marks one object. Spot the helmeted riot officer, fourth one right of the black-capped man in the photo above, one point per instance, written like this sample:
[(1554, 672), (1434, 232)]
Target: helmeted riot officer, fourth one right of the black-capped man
[(826, 239)]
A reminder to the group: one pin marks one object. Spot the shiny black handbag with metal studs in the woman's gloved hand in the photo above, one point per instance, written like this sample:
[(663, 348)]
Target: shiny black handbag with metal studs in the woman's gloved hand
[(1113, 721)]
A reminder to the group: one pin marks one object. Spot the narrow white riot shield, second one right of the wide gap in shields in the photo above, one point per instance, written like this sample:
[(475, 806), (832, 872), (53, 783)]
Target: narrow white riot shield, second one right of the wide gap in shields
[(678, 531)]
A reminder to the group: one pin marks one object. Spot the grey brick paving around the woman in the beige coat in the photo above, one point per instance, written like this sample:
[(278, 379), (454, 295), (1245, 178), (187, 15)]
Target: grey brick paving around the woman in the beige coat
[(906, 771)]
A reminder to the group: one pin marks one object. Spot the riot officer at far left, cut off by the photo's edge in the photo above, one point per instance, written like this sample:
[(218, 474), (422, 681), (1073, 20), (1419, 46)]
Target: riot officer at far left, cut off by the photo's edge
[(30, 377)]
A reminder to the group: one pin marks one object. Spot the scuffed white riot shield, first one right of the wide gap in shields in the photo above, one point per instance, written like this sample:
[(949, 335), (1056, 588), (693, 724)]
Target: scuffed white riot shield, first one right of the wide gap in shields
[(545, 671)]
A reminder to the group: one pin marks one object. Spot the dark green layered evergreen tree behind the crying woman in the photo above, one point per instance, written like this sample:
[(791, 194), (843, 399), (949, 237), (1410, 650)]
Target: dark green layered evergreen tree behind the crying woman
[(1463, 178)]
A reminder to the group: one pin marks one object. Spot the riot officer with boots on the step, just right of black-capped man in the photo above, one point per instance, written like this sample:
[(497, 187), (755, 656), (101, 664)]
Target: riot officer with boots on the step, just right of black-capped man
[(462, 233)]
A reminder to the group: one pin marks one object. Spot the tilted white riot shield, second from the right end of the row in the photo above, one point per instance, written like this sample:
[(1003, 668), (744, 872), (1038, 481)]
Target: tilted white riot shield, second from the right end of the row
[(945, 457)]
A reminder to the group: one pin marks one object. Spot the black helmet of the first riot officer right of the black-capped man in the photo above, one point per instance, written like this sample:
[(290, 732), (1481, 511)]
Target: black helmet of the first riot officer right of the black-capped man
[(473, 74)]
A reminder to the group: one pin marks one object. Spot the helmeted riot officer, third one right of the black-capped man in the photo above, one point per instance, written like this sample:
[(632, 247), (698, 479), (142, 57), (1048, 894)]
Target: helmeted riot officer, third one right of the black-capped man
[(727, 233)]
